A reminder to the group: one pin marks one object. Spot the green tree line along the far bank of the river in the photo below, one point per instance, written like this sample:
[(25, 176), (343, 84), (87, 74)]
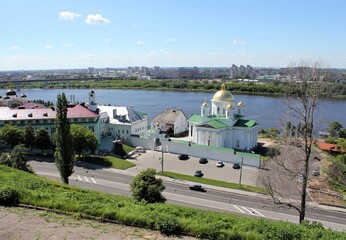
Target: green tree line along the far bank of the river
[(272, 88)]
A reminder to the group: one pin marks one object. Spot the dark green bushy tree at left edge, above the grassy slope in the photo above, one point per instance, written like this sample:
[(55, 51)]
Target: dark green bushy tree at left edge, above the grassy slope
[(16, 158)]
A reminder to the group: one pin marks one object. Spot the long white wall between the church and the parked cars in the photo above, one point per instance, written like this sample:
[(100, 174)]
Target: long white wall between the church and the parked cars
[(212, 153)]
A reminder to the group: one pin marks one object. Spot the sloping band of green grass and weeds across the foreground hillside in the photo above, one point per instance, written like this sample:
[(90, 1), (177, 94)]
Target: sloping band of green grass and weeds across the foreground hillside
[(166, 218)]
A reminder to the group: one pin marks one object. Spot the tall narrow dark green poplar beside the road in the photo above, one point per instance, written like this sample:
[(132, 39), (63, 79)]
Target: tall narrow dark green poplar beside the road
[(64, 156)]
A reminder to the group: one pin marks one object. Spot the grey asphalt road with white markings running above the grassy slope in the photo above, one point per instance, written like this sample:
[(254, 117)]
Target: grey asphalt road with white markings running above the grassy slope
[(178, 192)]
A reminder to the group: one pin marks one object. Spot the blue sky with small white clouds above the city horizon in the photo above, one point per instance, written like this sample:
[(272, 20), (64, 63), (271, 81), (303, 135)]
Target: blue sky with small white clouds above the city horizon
[(52, 34)]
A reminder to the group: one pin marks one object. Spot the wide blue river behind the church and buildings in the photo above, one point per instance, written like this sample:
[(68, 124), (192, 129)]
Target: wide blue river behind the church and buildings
[(267, 111)]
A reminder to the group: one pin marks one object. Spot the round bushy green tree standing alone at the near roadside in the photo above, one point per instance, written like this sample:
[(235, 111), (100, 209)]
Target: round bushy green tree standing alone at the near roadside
[(146, 188)]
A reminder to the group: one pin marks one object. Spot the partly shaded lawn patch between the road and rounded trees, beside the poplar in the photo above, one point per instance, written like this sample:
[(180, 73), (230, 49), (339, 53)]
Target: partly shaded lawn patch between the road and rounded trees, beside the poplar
[(108, 161)]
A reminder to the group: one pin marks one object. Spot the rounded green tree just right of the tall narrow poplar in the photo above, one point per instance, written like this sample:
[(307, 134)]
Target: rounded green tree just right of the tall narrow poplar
[(83, 139)]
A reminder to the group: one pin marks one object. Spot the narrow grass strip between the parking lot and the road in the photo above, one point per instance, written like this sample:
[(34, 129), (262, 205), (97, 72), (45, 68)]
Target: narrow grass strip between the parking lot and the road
[(214, 182)]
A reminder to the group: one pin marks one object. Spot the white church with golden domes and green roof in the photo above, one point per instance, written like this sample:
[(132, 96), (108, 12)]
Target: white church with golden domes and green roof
[(223, 124)]
